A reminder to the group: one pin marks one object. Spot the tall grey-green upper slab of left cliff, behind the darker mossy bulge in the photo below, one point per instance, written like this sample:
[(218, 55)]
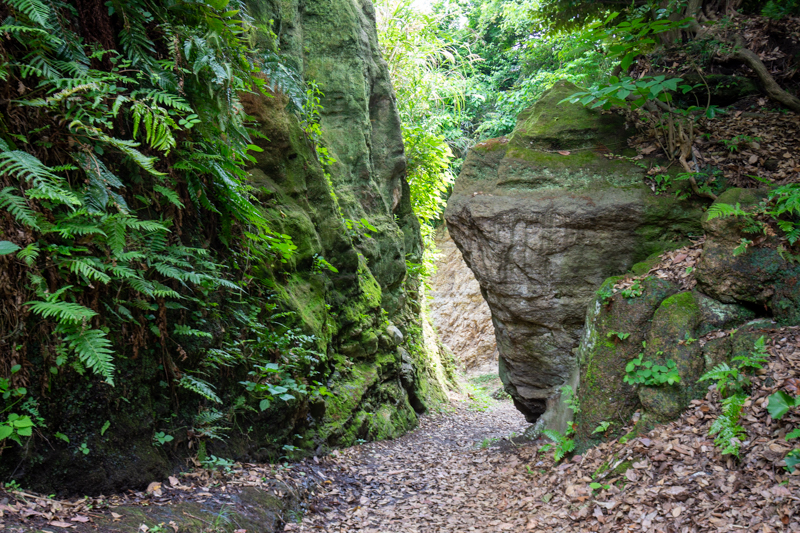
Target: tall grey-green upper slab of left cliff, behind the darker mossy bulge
[(335, 44)]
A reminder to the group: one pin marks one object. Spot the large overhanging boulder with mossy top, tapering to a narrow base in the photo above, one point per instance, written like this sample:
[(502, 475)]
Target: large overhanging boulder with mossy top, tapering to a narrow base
[(542, 218)]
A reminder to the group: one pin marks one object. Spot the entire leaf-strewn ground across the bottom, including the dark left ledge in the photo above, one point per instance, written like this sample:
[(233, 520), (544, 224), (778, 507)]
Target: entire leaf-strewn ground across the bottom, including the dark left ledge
[(470, 469)]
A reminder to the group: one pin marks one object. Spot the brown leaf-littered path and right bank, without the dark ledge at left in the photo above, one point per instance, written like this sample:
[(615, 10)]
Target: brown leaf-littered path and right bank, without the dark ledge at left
[(444, 478)]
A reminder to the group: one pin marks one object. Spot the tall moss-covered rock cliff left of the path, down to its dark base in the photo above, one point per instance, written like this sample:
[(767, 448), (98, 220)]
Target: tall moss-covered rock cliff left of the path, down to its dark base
[(379, 366)]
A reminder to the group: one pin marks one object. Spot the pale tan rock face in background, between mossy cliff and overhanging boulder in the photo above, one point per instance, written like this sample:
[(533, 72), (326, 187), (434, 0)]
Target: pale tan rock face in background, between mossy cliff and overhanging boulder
[(459, 312)]
